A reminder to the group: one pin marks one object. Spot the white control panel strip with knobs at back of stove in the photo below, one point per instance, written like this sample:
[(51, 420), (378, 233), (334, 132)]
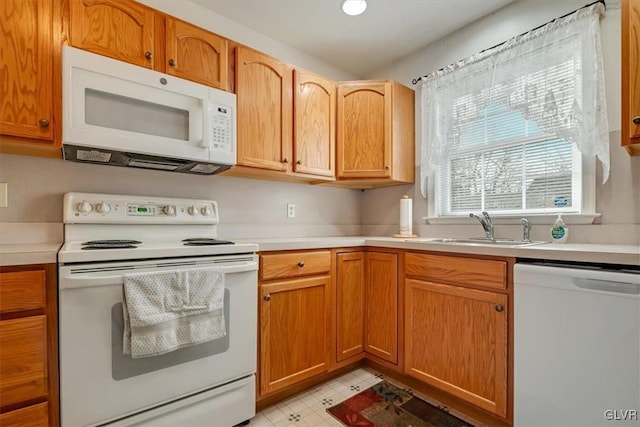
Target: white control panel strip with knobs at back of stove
[(88, 208)]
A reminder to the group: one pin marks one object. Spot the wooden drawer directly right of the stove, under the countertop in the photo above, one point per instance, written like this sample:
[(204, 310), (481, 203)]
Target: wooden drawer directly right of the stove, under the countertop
[(280, 266)]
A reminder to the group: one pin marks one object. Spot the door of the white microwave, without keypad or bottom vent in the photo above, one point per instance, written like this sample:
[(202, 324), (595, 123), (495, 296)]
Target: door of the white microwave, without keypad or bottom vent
[(117, 106)]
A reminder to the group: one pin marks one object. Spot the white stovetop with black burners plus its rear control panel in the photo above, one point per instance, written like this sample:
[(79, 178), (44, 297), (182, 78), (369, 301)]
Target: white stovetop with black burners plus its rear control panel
[(106, 227)]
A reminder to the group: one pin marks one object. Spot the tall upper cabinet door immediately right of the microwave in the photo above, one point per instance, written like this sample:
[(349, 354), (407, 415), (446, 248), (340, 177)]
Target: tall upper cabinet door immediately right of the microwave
[(265, 106)]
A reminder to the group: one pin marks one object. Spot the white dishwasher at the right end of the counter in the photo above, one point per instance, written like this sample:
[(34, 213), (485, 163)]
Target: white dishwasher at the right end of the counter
[(577, 346)]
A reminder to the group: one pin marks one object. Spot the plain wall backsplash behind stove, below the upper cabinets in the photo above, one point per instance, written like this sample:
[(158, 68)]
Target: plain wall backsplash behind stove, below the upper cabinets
[(248, 207)]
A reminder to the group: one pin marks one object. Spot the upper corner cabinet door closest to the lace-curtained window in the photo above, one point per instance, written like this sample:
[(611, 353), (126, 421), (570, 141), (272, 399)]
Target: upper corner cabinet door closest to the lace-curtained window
[(364, 130)]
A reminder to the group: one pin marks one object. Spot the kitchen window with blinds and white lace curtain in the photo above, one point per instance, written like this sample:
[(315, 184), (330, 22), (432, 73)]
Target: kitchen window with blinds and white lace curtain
[(515, 130)]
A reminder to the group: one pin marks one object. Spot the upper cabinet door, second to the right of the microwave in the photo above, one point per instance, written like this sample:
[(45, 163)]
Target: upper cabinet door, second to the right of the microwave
[(314, 120)]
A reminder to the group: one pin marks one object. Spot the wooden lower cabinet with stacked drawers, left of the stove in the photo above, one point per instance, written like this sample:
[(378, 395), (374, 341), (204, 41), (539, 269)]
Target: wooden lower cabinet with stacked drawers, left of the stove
[(28, 346)]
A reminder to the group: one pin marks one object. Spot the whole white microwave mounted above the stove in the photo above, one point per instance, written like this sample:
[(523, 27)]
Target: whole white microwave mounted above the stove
[(119, 114)]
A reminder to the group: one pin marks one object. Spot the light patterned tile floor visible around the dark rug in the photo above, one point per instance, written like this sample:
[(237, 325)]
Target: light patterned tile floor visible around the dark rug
[(310, 407)]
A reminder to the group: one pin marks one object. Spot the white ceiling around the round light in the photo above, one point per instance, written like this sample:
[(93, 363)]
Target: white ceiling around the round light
[(387, 31)]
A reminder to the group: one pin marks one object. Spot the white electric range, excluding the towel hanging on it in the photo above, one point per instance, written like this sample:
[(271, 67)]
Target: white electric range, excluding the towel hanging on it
[(109, 236)]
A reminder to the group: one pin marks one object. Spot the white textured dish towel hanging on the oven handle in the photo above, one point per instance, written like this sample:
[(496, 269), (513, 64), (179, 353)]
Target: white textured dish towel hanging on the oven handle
[(167, 310)]
